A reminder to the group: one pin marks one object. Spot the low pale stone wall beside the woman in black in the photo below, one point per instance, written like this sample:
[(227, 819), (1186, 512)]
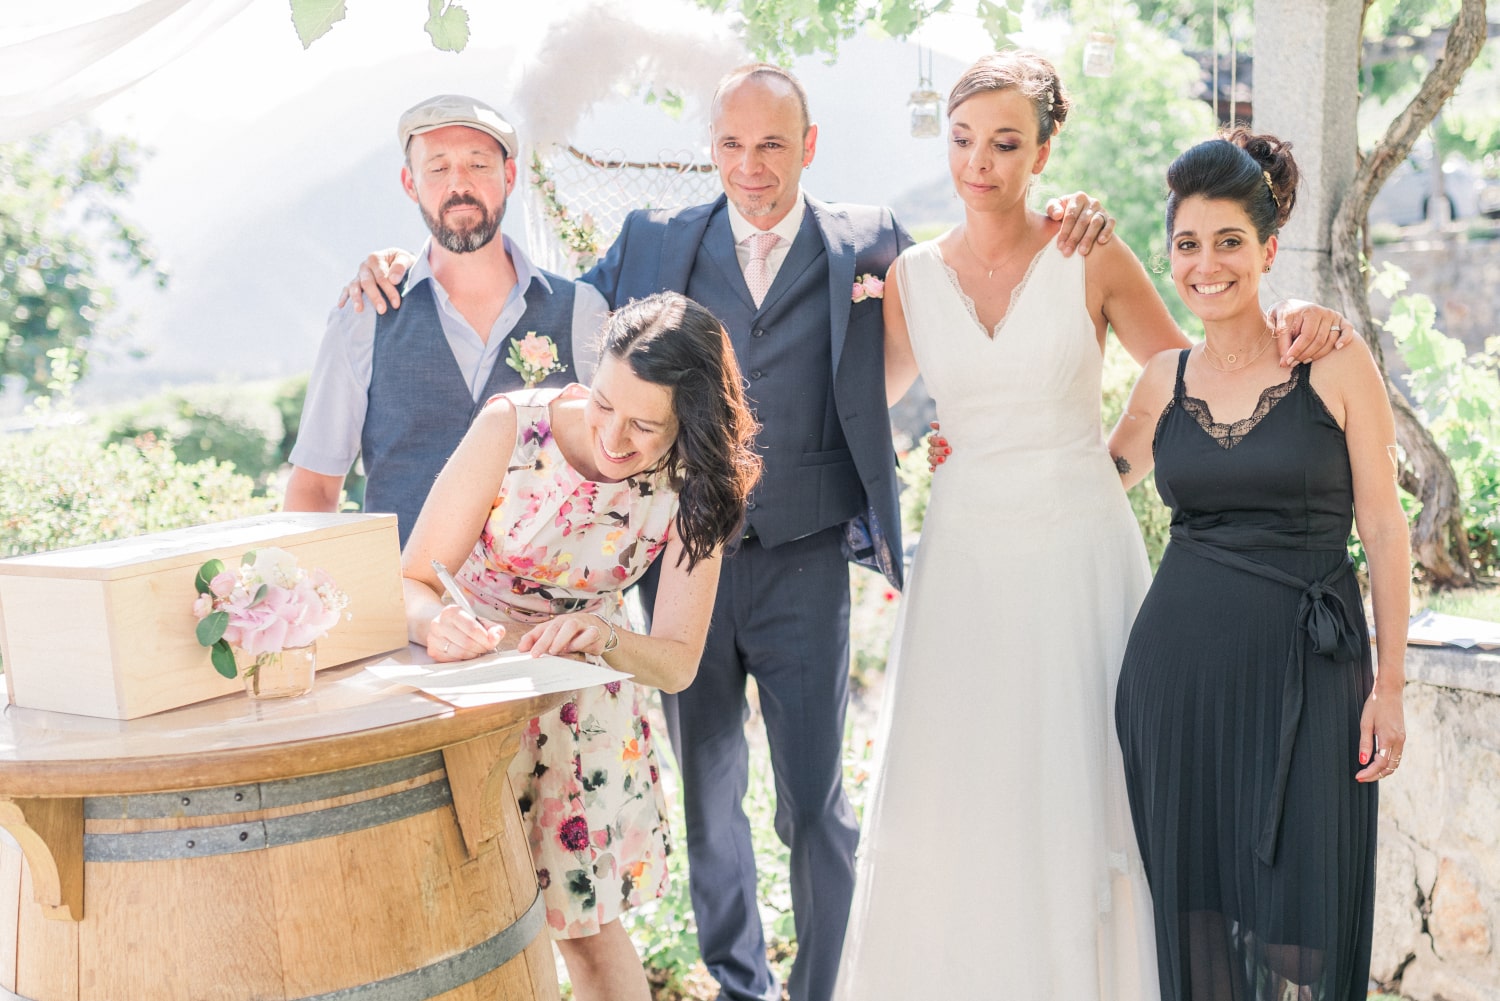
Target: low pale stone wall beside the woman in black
[(1438, 897)]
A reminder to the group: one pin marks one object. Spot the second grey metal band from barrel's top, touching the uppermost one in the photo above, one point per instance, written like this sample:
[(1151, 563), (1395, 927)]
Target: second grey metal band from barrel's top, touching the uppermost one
[(271, 832)]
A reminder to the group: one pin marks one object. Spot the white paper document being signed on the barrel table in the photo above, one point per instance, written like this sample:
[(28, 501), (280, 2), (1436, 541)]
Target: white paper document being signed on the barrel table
[(499, 678)]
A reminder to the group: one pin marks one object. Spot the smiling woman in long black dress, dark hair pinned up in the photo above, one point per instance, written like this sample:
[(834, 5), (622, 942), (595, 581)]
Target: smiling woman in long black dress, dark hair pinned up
[(1249, 712)]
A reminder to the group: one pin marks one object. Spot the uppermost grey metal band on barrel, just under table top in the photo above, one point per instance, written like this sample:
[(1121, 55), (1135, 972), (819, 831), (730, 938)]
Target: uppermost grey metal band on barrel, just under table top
[(257, 796)]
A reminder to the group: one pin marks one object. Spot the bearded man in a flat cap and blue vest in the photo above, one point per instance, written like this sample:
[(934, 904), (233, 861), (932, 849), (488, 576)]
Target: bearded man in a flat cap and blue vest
[(401, 386)]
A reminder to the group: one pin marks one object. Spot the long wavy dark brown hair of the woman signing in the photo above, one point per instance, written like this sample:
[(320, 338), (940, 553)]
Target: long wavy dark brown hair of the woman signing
[(671, 341)]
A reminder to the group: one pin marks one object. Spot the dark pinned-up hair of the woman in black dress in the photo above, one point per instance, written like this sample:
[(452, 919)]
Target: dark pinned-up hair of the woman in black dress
[(1253, 170)]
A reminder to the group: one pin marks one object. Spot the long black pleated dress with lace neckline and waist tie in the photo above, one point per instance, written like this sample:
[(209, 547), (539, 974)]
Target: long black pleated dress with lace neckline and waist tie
[(1238, 711)]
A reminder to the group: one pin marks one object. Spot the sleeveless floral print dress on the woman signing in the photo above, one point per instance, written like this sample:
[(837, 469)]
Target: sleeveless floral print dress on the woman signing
[(587, 777)]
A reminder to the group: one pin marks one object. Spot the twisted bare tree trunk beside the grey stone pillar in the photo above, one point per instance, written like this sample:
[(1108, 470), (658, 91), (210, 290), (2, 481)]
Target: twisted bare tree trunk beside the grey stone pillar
[(1439, 540)]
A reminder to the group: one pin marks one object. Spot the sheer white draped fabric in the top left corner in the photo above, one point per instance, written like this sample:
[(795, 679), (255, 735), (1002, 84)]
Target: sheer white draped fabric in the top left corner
[(62, 59)]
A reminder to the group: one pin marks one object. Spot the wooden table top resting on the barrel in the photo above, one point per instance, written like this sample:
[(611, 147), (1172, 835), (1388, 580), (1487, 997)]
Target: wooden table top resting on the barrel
[(350, 718)]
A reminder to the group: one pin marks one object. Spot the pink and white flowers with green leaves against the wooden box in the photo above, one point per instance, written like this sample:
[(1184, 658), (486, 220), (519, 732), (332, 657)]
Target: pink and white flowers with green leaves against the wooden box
[(263, 609)]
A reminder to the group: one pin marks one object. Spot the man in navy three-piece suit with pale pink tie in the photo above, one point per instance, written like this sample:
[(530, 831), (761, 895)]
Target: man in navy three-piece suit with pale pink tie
[(779, 269)]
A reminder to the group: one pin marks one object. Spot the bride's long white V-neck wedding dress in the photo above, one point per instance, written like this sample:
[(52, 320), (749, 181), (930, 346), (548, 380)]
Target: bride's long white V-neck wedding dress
[(998, 859)]
